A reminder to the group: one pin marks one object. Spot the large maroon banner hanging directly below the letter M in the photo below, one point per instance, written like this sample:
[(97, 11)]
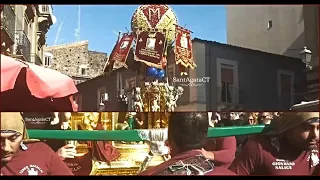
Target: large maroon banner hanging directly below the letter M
[(150, 46)]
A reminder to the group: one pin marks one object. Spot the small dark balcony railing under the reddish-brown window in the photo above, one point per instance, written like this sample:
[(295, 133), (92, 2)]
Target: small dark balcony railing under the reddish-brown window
[(228, 96)]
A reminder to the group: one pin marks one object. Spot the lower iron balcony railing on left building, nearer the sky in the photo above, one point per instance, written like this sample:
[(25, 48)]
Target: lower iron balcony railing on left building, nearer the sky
[(23, 45)]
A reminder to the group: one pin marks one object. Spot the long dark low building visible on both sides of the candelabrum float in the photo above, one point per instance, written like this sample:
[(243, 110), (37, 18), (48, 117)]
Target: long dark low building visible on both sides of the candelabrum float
[(239, 78)]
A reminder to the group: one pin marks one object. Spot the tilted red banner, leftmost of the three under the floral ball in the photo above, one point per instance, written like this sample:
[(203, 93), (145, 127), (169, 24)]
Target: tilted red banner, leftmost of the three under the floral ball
[(121, 51)]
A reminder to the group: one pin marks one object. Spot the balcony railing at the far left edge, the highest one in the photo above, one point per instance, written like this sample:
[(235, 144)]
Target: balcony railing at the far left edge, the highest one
[(8, 21)]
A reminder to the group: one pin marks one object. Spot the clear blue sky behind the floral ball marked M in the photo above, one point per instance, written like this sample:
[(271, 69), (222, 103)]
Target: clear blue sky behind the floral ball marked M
[(98, 23)]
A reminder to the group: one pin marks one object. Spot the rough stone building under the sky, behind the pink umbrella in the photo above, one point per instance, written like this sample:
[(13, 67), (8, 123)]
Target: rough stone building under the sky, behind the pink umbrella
[(75, 60)]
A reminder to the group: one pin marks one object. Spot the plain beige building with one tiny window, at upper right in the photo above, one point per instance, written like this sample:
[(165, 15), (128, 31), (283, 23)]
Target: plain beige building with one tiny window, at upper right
[(279, 29)]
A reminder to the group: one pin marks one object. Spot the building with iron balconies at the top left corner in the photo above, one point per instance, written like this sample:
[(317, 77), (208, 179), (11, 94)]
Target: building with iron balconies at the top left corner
[(24, 29)]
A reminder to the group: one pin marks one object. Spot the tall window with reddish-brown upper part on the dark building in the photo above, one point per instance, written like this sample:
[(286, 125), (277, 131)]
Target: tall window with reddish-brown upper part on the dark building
[(227, 81)]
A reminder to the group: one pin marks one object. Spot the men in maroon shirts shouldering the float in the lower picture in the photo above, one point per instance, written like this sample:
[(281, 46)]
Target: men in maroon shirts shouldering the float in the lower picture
[(289, 147)]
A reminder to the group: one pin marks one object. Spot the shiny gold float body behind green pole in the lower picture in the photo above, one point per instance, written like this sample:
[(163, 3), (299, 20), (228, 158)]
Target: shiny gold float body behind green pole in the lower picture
[(131, 154)]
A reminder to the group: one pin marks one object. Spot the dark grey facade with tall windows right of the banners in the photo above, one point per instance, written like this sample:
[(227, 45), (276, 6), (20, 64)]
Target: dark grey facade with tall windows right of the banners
[(246, 79)]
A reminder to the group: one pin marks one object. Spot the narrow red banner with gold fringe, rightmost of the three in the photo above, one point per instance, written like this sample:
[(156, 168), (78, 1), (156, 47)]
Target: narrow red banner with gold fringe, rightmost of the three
[(183, 50)]
